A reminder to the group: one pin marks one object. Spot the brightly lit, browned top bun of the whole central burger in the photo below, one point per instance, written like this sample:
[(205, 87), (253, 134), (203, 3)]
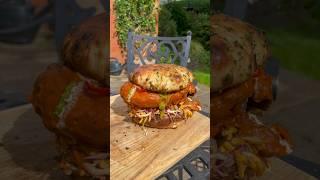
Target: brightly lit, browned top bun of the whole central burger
[(161, 78)]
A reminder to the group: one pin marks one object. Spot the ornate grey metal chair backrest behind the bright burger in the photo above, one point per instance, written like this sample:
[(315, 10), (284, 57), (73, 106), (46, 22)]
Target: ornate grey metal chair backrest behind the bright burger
[(143, 49)]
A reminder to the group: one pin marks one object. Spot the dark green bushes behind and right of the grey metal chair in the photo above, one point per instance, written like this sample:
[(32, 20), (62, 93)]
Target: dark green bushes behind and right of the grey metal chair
[(177, 18)]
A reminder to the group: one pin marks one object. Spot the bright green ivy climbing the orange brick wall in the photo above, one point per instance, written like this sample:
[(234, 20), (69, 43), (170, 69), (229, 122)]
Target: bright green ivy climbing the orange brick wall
[(138, 16)]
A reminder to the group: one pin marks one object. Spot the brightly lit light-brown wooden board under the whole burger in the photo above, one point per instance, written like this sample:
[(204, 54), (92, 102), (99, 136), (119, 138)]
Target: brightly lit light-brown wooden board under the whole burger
[(135, 155)]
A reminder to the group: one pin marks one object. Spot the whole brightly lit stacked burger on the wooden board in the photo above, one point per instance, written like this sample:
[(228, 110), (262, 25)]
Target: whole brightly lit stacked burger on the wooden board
[(158, 95)]
